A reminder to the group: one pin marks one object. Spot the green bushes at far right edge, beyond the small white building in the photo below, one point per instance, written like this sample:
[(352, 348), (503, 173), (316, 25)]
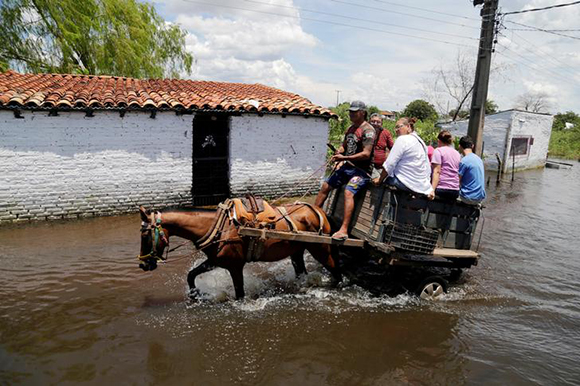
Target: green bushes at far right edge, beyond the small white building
[(565, 143)]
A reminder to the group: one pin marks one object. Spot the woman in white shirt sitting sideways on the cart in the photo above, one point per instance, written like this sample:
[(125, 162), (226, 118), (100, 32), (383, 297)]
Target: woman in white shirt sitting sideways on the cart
[(407, 165)]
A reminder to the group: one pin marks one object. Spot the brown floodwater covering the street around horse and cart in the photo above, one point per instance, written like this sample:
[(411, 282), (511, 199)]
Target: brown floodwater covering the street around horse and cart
[(75, 308)]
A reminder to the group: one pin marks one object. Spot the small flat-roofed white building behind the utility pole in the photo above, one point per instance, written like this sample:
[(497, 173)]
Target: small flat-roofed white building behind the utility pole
[(516, 138)]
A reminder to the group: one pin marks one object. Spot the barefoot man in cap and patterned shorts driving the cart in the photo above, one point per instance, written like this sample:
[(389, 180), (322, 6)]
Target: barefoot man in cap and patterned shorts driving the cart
[(355, 153)]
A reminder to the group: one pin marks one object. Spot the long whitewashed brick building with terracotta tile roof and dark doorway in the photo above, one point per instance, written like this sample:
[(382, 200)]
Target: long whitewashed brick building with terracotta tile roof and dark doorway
[(76, 146)]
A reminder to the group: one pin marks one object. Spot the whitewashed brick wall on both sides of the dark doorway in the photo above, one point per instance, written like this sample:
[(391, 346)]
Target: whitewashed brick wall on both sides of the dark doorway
[(70, 165)]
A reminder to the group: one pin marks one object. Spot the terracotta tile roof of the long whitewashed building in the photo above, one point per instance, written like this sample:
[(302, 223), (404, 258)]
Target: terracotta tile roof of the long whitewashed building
[(60, 91)]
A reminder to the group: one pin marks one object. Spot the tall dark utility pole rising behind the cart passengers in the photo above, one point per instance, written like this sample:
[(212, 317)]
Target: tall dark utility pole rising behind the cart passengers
[(477, 112)]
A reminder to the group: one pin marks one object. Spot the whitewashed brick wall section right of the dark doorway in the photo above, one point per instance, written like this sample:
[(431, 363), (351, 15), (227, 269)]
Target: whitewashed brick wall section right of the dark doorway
[(271, 155)]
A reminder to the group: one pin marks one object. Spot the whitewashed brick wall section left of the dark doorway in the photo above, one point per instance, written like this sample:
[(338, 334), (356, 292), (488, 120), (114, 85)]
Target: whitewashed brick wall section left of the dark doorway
[(70, 165)]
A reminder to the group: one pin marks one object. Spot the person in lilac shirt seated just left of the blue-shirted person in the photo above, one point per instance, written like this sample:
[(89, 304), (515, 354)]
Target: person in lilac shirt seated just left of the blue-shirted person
[(445, 166)]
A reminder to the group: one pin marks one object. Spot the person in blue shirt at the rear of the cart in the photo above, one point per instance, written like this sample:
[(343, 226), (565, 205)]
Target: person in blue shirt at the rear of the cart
[(471, 174)]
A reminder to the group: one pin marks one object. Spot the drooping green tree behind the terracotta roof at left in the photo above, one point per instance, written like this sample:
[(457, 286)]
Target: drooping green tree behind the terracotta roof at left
[(112, 37)]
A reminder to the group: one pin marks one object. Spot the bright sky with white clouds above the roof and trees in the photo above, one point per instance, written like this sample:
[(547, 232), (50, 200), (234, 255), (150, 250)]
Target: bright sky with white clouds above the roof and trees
[(381, 52)]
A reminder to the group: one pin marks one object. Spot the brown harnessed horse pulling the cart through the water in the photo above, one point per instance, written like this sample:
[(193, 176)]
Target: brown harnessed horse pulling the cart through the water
[(227, 249)]
